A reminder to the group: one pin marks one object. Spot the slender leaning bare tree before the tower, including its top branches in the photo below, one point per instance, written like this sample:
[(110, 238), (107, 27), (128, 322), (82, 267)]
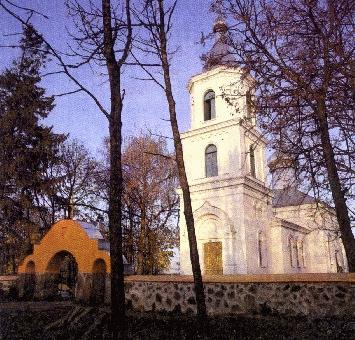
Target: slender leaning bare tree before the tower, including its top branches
[(156, 19)]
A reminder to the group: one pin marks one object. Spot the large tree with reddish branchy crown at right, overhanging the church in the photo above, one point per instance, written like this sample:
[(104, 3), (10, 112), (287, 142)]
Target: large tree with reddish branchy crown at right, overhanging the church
[(300, 55)]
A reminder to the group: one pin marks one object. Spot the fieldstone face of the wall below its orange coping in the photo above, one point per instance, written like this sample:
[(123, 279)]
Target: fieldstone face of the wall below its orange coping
[(317, 299)]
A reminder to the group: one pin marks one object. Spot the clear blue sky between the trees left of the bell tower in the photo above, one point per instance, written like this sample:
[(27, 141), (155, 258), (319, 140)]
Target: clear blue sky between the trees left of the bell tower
[(145, 104)]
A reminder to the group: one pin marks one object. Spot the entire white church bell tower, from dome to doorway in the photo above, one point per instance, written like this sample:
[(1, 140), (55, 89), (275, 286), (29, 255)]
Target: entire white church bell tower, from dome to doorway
[(225, 165)]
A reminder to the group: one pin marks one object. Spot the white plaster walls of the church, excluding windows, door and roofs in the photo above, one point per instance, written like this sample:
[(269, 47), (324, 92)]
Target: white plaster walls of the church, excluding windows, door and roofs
[(233, 207)]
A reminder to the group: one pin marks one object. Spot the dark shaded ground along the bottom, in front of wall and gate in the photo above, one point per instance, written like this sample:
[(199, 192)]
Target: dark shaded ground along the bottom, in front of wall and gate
[(65, 320)]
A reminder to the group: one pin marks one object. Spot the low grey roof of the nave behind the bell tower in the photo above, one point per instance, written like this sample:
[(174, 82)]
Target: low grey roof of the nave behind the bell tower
[(291, 197)]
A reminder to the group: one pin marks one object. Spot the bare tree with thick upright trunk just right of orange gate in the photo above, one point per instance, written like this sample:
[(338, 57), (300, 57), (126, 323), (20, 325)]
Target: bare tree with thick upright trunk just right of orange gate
[(103, 38)]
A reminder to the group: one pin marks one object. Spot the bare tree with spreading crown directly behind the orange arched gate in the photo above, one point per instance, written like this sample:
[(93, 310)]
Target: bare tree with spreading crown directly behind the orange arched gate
[(71, 187)]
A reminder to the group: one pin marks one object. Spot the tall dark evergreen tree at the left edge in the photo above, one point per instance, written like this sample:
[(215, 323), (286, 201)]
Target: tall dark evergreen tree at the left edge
[(26, 146)]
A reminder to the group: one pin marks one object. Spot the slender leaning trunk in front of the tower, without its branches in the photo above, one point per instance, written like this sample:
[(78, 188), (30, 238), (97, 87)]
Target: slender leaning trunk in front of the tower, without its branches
[(195, 261)]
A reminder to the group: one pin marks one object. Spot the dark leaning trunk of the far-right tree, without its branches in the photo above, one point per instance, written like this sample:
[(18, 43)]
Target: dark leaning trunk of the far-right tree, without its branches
[(335, 186)]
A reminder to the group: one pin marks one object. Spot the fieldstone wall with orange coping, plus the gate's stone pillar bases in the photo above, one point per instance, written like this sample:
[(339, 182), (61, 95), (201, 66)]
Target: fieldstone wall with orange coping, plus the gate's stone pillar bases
[(317, 295)]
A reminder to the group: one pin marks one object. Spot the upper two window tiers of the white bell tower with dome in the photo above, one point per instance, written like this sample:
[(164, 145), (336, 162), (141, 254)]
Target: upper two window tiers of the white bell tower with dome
[(222, 118)]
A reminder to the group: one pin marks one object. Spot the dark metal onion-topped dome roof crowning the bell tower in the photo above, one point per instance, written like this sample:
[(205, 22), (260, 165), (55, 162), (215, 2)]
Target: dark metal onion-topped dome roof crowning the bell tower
[(220, 53)]
